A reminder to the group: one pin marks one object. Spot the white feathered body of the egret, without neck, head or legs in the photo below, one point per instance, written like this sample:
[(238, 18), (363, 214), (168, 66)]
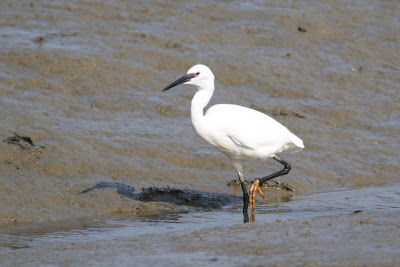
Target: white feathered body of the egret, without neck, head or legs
[(244, 133)]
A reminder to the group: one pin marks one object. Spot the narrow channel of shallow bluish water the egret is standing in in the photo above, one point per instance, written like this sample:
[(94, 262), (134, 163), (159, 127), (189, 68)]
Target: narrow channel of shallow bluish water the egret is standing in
[(303, 207)]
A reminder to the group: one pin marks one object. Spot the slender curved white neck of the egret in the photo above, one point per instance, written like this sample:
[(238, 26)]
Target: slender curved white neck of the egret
[(199, 102)]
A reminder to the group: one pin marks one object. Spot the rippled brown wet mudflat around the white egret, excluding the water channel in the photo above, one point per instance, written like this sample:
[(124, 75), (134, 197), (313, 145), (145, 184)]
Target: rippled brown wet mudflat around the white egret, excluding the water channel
[(83, 80)]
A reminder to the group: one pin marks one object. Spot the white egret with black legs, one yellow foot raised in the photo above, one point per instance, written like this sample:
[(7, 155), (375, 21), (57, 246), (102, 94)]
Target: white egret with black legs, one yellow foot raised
[(240, 133)]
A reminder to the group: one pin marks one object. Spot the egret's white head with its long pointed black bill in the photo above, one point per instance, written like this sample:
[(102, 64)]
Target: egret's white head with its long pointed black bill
[(199, 75)]
